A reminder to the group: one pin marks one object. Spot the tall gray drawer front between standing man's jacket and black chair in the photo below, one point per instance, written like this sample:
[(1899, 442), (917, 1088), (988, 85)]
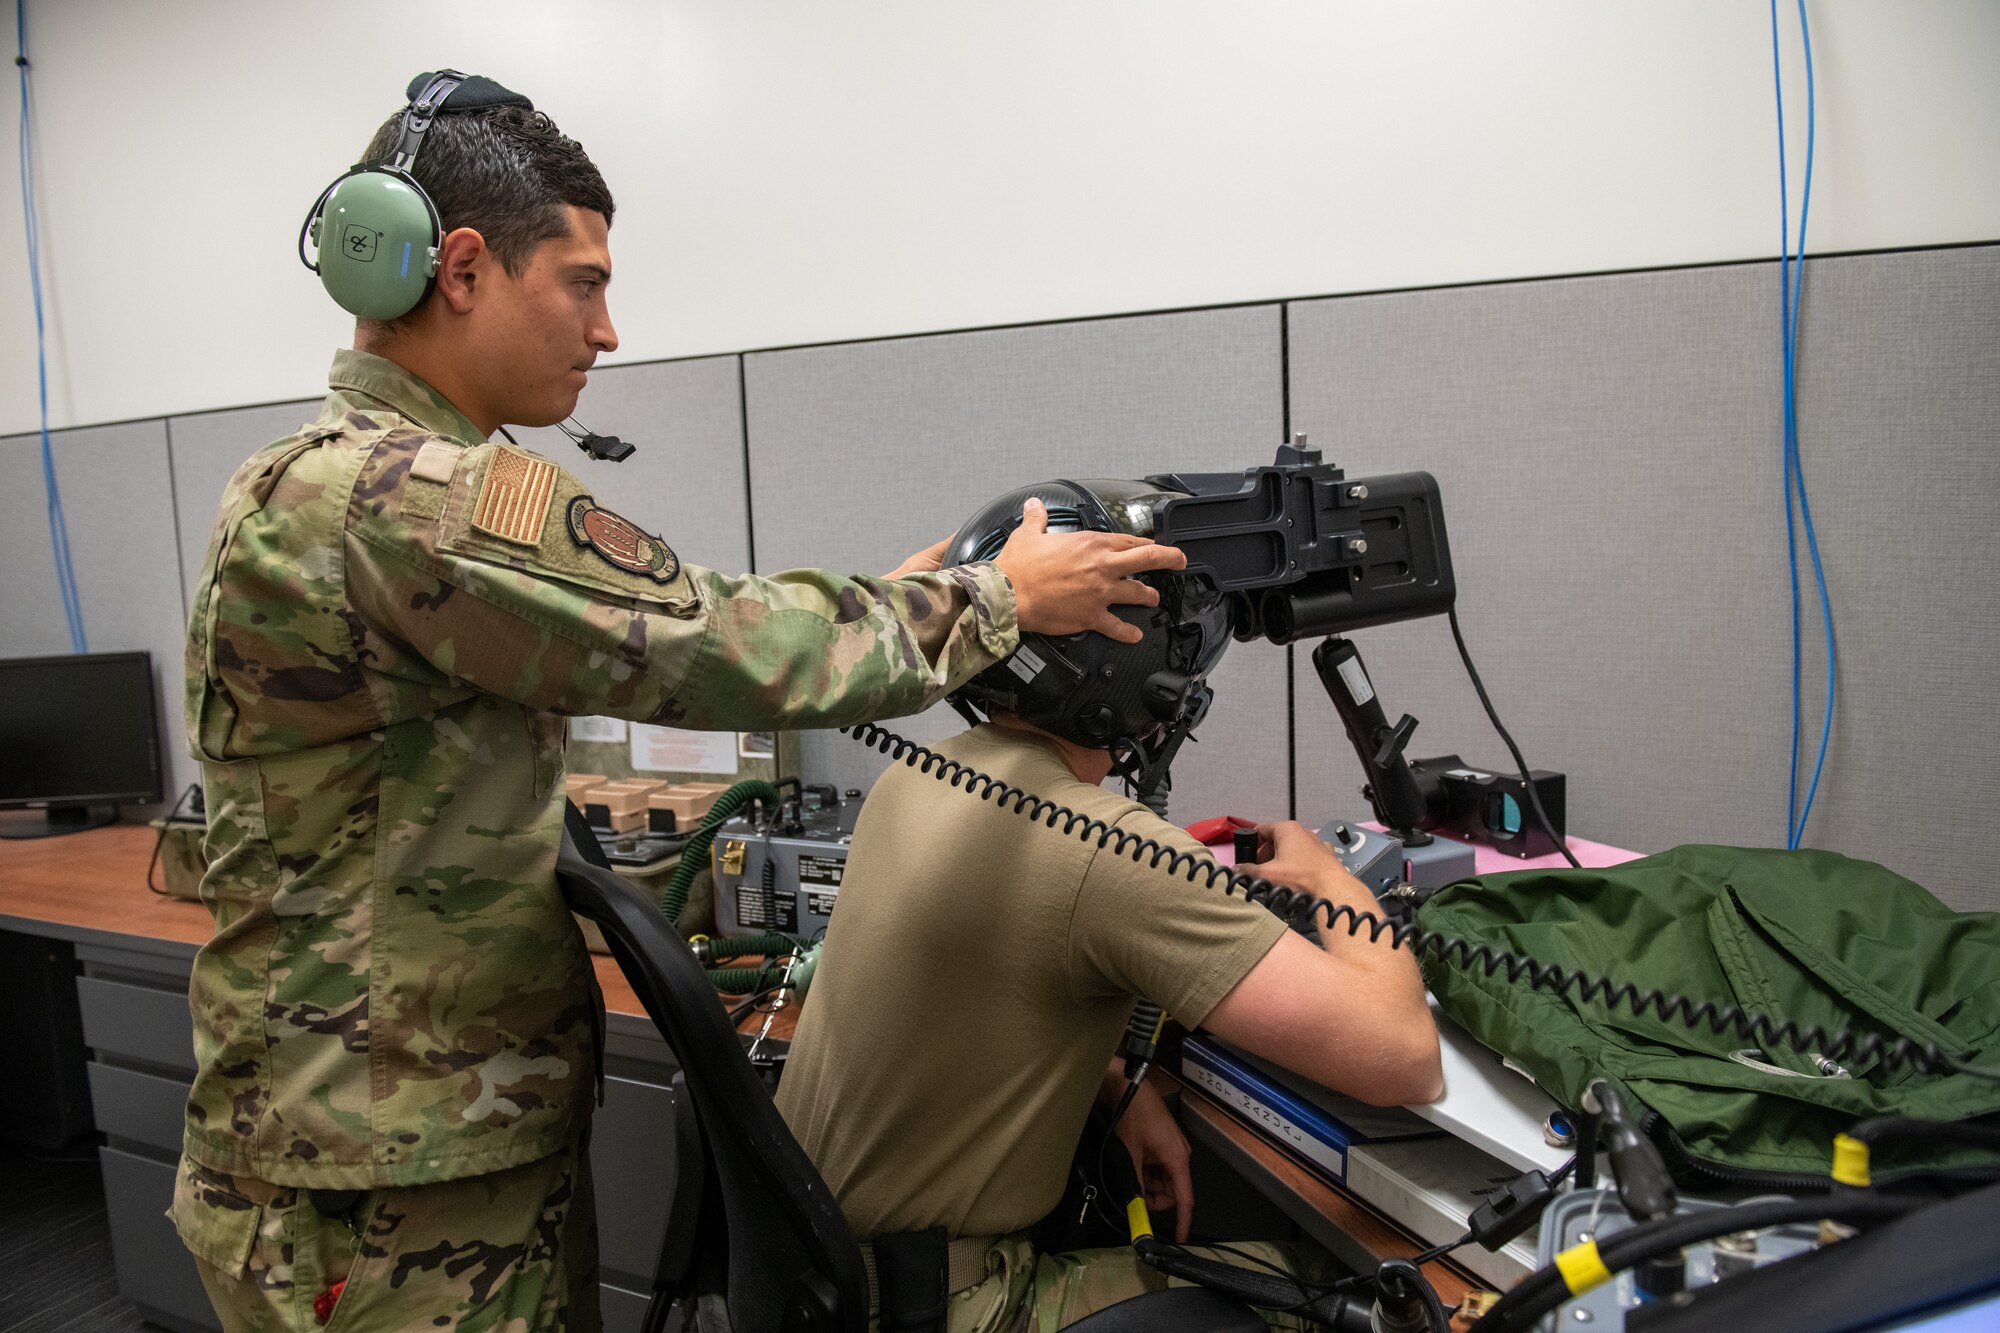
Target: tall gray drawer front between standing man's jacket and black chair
[(633, 1174)]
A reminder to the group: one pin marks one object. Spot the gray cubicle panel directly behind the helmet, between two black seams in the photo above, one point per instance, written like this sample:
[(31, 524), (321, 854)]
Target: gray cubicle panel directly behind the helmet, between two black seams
[(865, 453)]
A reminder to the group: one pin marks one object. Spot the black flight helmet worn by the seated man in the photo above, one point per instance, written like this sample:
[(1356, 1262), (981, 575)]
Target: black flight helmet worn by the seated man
[(1135, 700)]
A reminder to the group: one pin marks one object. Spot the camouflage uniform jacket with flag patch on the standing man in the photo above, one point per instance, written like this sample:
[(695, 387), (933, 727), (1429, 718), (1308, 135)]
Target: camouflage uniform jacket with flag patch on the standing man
[(393, 621)]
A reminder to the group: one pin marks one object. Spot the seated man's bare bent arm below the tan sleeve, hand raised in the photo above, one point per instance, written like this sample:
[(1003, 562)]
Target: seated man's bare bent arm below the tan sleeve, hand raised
[(1351, 1018)]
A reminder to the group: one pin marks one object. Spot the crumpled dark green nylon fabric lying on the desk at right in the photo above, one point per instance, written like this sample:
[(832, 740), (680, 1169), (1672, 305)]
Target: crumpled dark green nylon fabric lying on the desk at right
[(1805, 936)]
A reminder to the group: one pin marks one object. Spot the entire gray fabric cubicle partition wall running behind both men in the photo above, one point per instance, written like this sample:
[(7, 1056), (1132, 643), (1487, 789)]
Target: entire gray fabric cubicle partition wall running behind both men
[(1609, 453)]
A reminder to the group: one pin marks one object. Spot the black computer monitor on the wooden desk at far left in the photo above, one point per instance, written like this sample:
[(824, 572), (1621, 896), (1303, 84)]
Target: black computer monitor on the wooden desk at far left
[(79, 736)]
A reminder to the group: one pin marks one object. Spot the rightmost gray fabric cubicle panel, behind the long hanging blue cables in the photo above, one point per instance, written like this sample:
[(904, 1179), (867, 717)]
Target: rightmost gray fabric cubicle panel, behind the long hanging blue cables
[(1611, 463)]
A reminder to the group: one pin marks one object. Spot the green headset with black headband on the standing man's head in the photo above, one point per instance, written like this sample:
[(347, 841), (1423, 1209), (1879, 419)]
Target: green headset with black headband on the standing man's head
[(375, 231)]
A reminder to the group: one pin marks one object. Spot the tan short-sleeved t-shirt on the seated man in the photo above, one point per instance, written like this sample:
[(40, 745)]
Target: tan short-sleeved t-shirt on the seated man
[(977, 978)]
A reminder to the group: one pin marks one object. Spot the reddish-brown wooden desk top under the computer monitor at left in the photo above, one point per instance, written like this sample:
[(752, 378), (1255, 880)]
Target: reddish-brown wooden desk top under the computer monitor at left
[(97, 882)]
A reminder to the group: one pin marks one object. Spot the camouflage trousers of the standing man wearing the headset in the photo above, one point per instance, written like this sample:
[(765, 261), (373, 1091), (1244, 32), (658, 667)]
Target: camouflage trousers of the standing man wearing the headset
[(509, 1252)]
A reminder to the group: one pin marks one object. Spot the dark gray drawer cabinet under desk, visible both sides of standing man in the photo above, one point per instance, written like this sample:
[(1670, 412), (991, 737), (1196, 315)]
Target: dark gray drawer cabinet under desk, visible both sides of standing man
[(133, 996)]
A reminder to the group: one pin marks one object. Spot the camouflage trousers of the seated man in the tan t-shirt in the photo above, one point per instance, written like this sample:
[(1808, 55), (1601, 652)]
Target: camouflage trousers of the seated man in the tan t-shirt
[(1039, 1294)]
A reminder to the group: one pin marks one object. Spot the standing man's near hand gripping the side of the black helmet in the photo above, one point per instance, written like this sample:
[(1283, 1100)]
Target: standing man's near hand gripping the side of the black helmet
[(1067, 583)]
